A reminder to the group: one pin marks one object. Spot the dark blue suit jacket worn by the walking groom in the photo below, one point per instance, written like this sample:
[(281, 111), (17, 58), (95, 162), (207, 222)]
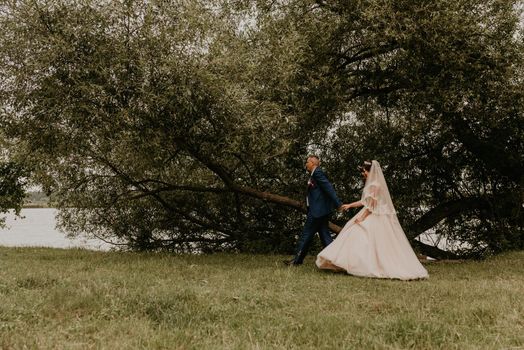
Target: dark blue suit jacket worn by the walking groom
[(321, 195)]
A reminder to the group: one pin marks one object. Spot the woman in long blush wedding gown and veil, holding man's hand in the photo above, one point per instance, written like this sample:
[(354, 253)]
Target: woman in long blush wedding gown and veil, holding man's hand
[(372, 243)]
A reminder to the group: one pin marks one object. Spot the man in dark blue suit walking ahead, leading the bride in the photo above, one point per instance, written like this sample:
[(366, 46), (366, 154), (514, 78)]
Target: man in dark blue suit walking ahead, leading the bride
[(321, 200)]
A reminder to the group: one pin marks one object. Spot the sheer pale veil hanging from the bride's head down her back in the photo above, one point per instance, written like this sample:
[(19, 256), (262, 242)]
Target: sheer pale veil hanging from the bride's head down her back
[(375, 195)]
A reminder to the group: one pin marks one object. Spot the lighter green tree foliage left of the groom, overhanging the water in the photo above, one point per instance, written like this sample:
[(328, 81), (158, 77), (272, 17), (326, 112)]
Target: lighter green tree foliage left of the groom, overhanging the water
[(128, 105)]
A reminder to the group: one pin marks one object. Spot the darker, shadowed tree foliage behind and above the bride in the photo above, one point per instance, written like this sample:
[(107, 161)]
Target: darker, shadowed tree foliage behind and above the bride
[(440, 103)]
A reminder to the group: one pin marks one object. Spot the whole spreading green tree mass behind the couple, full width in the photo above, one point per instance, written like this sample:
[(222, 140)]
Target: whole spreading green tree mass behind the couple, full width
[(184, 126)]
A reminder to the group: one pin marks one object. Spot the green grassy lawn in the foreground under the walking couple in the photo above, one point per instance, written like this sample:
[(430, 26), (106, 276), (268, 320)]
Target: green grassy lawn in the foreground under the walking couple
[(77, 299)]
